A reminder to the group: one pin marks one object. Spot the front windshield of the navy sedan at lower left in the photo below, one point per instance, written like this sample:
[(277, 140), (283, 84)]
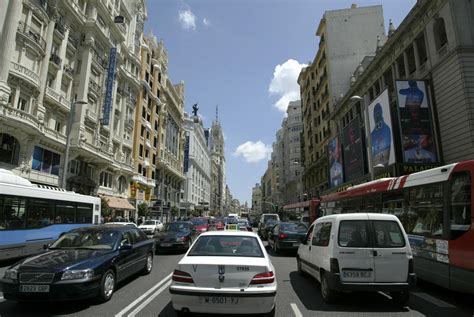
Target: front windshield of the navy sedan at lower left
[(97, 240)]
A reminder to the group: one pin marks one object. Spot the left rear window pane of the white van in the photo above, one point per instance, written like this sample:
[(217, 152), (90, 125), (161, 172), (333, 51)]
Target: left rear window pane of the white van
[(353, 234)]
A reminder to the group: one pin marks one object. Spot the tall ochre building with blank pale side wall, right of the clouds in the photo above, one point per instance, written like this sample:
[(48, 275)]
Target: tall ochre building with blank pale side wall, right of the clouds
[(346, 36)]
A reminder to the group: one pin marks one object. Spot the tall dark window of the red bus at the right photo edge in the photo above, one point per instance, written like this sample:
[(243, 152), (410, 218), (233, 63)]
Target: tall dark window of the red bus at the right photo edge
[(460, 218)]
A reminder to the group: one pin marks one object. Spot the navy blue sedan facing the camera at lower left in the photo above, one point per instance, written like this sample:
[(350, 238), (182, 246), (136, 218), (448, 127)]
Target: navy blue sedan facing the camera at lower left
[(83, 263)]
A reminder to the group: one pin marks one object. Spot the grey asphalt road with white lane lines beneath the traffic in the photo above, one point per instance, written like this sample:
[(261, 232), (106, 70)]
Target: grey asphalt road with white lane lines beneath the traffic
[(297, 296)]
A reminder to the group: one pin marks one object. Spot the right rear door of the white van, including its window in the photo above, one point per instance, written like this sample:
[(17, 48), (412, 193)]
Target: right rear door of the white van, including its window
[(391, 251)]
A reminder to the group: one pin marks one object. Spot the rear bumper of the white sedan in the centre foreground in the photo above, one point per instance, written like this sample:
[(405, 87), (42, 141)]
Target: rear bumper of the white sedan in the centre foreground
[(249, 302)]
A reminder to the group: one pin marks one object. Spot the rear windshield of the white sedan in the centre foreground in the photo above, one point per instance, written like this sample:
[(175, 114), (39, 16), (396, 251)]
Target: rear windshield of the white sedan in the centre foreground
[(243, 246)]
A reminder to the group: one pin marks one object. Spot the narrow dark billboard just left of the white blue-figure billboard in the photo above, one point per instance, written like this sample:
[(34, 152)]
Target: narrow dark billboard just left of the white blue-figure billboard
[(352, 149)]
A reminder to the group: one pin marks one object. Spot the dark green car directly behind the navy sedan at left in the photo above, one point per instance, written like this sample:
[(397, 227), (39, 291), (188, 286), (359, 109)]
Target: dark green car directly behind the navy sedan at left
[(176, 235)]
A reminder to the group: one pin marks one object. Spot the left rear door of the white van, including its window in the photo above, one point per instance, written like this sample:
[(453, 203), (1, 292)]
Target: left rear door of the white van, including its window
[(354, 251)]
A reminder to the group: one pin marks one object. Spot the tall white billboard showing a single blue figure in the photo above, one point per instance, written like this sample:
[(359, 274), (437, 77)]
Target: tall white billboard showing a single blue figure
[(380, 126)]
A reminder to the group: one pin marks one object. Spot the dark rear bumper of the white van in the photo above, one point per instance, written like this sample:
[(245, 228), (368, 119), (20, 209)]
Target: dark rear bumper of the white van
[(334, 282)]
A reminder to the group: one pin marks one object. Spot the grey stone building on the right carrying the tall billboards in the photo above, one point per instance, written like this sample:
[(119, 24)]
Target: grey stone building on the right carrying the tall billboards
[(431, 53)]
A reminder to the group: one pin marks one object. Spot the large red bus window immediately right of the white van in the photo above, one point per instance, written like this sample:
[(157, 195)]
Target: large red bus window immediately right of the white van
[(424, 208)]
